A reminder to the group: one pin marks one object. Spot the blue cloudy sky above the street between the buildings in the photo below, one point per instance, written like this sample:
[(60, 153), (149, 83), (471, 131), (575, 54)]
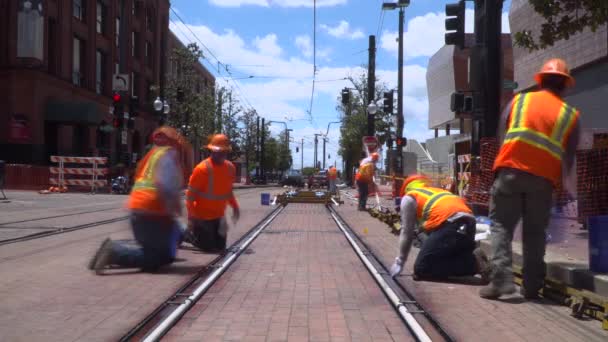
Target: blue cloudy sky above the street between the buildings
[(272, 40)]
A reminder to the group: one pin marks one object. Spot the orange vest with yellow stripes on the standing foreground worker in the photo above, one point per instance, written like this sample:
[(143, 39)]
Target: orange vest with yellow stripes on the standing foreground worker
[(539, 127)]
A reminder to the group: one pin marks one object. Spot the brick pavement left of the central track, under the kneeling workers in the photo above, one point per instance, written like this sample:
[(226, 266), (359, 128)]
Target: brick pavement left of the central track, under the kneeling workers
[(49, 295)]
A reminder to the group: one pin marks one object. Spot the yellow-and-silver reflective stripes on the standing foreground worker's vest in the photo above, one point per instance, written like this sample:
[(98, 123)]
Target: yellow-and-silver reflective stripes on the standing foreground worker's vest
[(552, 144)]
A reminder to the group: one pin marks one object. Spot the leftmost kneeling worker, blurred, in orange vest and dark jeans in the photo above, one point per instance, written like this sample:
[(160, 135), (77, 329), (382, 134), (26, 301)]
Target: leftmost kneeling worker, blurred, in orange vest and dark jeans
[(154, 203)]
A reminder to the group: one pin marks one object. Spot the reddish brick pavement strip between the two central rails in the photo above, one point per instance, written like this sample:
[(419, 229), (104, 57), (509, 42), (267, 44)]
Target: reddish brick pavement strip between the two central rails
[(301, 281)]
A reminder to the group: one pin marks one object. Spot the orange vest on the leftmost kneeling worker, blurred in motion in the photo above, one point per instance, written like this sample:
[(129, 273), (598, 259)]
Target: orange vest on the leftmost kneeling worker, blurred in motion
[(144, 196)]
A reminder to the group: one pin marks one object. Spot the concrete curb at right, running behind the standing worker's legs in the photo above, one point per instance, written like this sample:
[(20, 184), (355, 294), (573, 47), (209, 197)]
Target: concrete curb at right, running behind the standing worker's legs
[(570, 272)]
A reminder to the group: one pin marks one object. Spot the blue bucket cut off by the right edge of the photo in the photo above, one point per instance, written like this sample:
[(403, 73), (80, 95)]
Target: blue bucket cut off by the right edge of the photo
[(598, 243)]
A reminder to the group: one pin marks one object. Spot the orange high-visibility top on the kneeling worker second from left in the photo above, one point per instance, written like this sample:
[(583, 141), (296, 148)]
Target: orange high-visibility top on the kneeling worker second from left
[(210, 190)]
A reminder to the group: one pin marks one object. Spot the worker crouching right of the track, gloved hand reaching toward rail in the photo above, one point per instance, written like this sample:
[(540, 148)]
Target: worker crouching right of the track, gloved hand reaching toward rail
[(449, 249)]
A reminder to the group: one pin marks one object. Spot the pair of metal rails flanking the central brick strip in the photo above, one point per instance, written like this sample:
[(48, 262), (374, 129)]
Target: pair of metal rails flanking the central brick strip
[(419, 322)]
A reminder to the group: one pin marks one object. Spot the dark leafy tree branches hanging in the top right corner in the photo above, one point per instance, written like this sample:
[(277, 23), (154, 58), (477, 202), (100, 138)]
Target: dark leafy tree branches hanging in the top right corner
[(563, 18)]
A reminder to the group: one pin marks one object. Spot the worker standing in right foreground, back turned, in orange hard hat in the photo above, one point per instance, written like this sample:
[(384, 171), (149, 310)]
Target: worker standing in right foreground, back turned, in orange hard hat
[(542, 133)]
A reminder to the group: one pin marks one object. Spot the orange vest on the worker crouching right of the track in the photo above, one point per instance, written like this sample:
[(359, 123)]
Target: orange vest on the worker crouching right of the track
[(434, 206)]
